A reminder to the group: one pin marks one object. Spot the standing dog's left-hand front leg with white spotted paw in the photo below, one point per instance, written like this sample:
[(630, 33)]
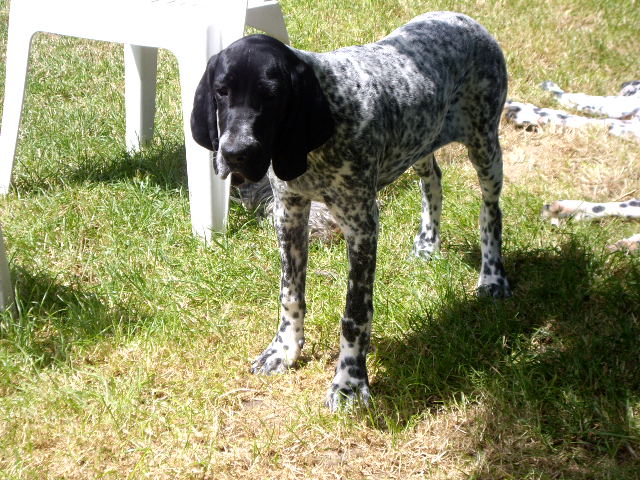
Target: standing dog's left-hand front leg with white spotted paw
[(291, 214)]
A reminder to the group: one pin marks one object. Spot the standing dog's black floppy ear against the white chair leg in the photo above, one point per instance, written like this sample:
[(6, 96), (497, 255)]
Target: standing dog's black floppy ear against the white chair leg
[(204, 126)]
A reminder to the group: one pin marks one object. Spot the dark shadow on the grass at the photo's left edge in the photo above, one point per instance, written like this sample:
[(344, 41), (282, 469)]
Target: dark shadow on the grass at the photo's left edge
[(55, 319)]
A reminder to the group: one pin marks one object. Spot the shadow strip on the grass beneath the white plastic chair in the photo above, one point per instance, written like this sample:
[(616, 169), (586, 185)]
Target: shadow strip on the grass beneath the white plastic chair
[(161, 164)]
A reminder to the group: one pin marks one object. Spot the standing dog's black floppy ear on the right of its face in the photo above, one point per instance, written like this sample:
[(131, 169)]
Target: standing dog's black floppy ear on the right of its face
[(307, 124)]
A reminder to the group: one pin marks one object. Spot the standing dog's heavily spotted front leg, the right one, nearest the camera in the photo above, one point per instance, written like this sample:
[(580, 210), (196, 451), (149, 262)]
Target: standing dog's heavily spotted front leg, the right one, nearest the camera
[(351, 382)]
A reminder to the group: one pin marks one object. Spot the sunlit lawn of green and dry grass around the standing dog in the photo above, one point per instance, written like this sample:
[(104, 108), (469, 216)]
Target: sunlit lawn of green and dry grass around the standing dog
[(129, 356)]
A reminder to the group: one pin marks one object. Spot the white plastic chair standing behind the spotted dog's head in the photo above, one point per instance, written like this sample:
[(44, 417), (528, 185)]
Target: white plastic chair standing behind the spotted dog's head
[(192, 30)]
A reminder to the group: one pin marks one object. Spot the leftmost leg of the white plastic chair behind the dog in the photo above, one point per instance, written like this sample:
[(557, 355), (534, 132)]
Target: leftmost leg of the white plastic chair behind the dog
[(18, 46)]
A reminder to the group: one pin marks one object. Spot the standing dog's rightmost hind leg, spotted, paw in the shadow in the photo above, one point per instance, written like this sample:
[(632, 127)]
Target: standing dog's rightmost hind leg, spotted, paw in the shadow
[(486, 156)]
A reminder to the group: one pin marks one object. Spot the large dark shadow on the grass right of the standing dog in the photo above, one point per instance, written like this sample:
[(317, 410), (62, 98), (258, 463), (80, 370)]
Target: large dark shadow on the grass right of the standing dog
[(558, 361)]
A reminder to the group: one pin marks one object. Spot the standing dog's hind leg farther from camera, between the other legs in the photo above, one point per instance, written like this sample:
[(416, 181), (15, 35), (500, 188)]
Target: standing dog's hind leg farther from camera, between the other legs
[(427, 241)]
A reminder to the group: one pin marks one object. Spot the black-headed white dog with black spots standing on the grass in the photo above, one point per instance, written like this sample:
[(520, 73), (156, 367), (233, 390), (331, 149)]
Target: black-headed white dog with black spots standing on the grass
[(337, 127)]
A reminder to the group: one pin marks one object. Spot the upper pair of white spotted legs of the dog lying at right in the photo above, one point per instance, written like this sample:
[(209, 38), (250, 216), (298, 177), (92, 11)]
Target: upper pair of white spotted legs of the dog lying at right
[(620, 114)]
